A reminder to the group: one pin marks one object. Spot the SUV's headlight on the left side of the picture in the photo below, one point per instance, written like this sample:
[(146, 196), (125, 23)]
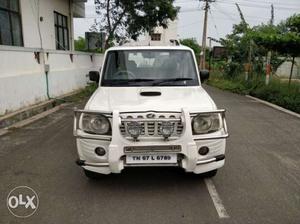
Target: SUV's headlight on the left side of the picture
[(95, 124)]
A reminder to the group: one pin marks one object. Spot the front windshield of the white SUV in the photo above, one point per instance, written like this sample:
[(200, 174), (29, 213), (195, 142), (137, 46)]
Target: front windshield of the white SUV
[(149, 68)]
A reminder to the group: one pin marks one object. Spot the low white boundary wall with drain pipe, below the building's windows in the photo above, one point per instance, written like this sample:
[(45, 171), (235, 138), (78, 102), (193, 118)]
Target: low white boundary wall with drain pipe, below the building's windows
[(23, 79)]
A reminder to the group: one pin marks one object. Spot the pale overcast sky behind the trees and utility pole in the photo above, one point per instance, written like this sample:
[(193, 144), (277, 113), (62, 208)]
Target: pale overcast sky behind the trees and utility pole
[(222, 15)]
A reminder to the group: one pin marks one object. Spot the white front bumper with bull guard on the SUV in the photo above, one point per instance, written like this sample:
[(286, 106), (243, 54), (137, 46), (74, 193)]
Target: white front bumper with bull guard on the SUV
[(114, 161)]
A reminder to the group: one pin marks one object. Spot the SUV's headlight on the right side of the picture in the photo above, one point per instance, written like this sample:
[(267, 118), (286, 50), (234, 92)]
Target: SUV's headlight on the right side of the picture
[(206, 123)]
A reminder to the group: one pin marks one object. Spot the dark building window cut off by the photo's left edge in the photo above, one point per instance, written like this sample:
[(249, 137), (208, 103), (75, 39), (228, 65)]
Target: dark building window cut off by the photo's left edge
[(10, 23)]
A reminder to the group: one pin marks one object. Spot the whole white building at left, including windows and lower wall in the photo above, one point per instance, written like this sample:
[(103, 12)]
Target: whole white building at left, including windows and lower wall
[(36, 38)]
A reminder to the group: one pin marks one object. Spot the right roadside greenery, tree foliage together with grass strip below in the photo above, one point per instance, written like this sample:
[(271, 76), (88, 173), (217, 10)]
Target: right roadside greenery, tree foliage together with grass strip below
[(284, 42)]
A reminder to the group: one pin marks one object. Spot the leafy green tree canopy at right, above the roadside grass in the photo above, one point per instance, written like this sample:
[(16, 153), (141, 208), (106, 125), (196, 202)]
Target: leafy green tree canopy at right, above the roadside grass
[(283, 40)]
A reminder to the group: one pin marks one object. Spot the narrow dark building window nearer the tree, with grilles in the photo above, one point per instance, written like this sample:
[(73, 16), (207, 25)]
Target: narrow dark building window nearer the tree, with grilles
[(61, 31)]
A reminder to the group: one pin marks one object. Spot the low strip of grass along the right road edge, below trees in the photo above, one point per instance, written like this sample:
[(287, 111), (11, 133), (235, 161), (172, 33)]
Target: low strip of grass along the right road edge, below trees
[(277, 92)]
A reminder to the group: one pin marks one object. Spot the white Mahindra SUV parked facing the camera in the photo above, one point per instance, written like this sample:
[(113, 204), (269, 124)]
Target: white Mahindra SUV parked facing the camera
[(150, 110)]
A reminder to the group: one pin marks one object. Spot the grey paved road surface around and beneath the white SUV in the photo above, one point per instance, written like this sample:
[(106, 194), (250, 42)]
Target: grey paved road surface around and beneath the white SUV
[(260, 182)]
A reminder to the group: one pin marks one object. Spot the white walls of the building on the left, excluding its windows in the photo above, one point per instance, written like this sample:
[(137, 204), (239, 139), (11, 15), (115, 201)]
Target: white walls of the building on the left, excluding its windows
[(23, 77)]
